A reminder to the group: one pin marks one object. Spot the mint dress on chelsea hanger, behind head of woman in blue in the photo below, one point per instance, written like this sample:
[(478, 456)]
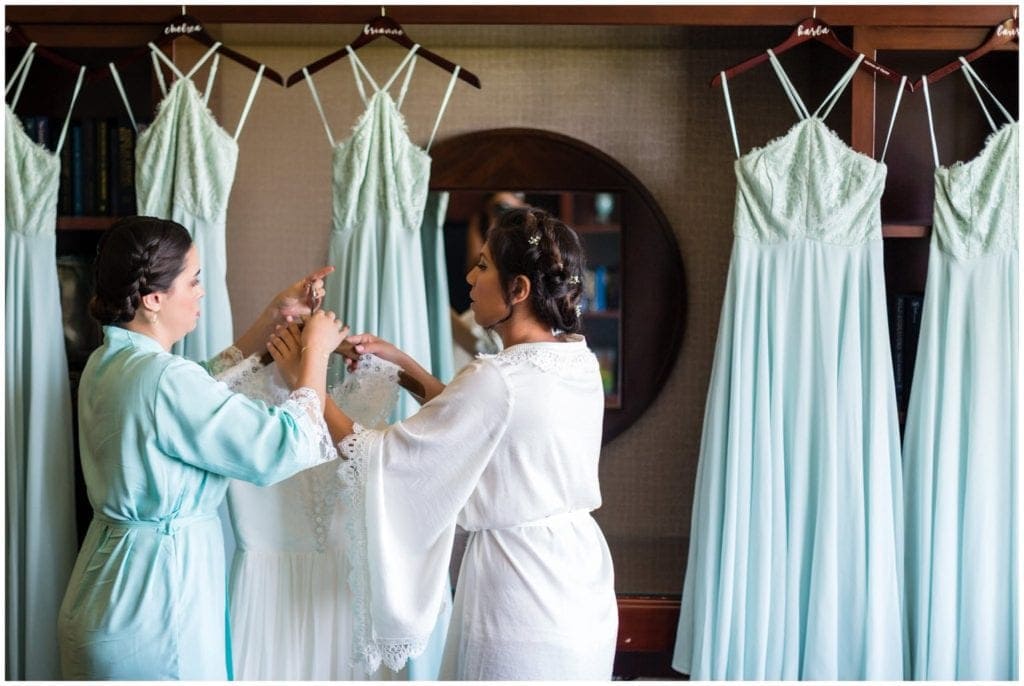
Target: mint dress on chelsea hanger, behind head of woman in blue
[(185, 168)]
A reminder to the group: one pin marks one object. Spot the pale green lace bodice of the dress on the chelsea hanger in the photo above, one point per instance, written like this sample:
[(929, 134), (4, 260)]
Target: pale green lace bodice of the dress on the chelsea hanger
[(185, 159)]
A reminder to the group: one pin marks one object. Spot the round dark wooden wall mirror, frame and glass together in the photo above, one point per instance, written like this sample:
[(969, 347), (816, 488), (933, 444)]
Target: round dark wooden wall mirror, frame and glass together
[(635, 303)]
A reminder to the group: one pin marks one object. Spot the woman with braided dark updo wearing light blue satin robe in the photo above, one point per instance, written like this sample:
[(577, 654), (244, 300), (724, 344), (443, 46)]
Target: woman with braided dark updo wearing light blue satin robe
[(160, 439)]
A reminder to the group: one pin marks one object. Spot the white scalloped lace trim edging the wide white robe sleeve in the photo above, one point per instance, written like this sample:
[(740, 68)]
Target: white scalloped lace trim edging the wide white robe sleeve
[(369, 652)]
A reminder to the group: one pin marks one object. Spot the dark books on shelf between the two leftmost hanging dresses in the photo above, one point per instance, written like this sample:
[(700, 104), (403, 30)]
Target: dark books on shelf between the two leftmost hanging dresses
[(98, 164)]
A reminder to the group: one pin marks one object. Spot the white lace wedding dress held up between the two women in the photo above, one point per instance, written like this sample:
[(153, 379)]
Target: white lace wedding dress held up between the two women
[(290, 603)]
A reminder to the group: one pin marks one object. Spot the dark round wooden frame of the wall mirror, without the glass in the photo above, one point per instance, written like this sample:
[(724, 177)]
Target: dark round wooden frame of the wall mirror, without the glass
[(654, 290)]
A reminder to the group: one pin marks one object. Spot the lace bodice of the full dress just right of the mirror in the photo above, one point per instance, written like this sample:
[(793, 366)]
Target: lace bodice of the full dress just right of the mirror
[(809, 184)]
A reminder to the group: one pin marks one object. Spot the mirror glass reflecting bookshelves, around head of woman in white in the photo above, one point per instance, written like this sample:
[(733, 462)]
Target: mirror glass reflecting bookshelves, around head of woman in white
[(598, 220)]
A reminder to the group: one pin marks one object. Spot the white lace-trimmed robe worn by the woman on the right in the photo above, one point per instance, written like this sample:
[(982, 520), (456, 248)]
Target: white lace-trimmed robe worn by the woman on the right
[(510, 452)]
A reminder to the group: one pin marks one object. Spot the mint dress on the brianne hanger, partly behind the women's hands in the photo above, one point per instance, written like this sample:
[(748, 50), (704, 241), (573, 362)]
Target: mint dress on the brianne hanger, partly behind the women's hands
[(380, 181)]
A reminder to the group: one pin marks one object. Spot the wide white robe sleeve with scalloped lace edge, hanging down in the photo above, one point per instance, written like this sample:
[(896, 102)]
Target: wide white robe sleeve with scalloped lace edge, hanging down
[(404, 488)]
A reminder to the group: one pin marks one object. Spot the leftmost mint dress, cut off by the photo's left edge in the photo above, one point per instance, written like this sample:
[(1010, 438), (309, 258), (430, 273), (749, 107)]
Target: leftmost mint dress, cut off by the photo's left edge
[(39, 480)]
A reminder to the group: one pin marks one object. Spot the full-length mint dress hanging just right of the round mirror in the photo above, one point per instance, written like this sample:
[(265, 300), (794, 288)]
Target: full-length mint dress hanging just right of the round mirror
[(795, 553)]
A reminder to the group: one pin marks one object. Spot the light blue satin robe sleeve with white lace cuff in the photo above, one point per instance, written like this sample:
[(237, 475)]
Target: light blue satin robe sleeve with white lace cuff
[(203, 423)]
